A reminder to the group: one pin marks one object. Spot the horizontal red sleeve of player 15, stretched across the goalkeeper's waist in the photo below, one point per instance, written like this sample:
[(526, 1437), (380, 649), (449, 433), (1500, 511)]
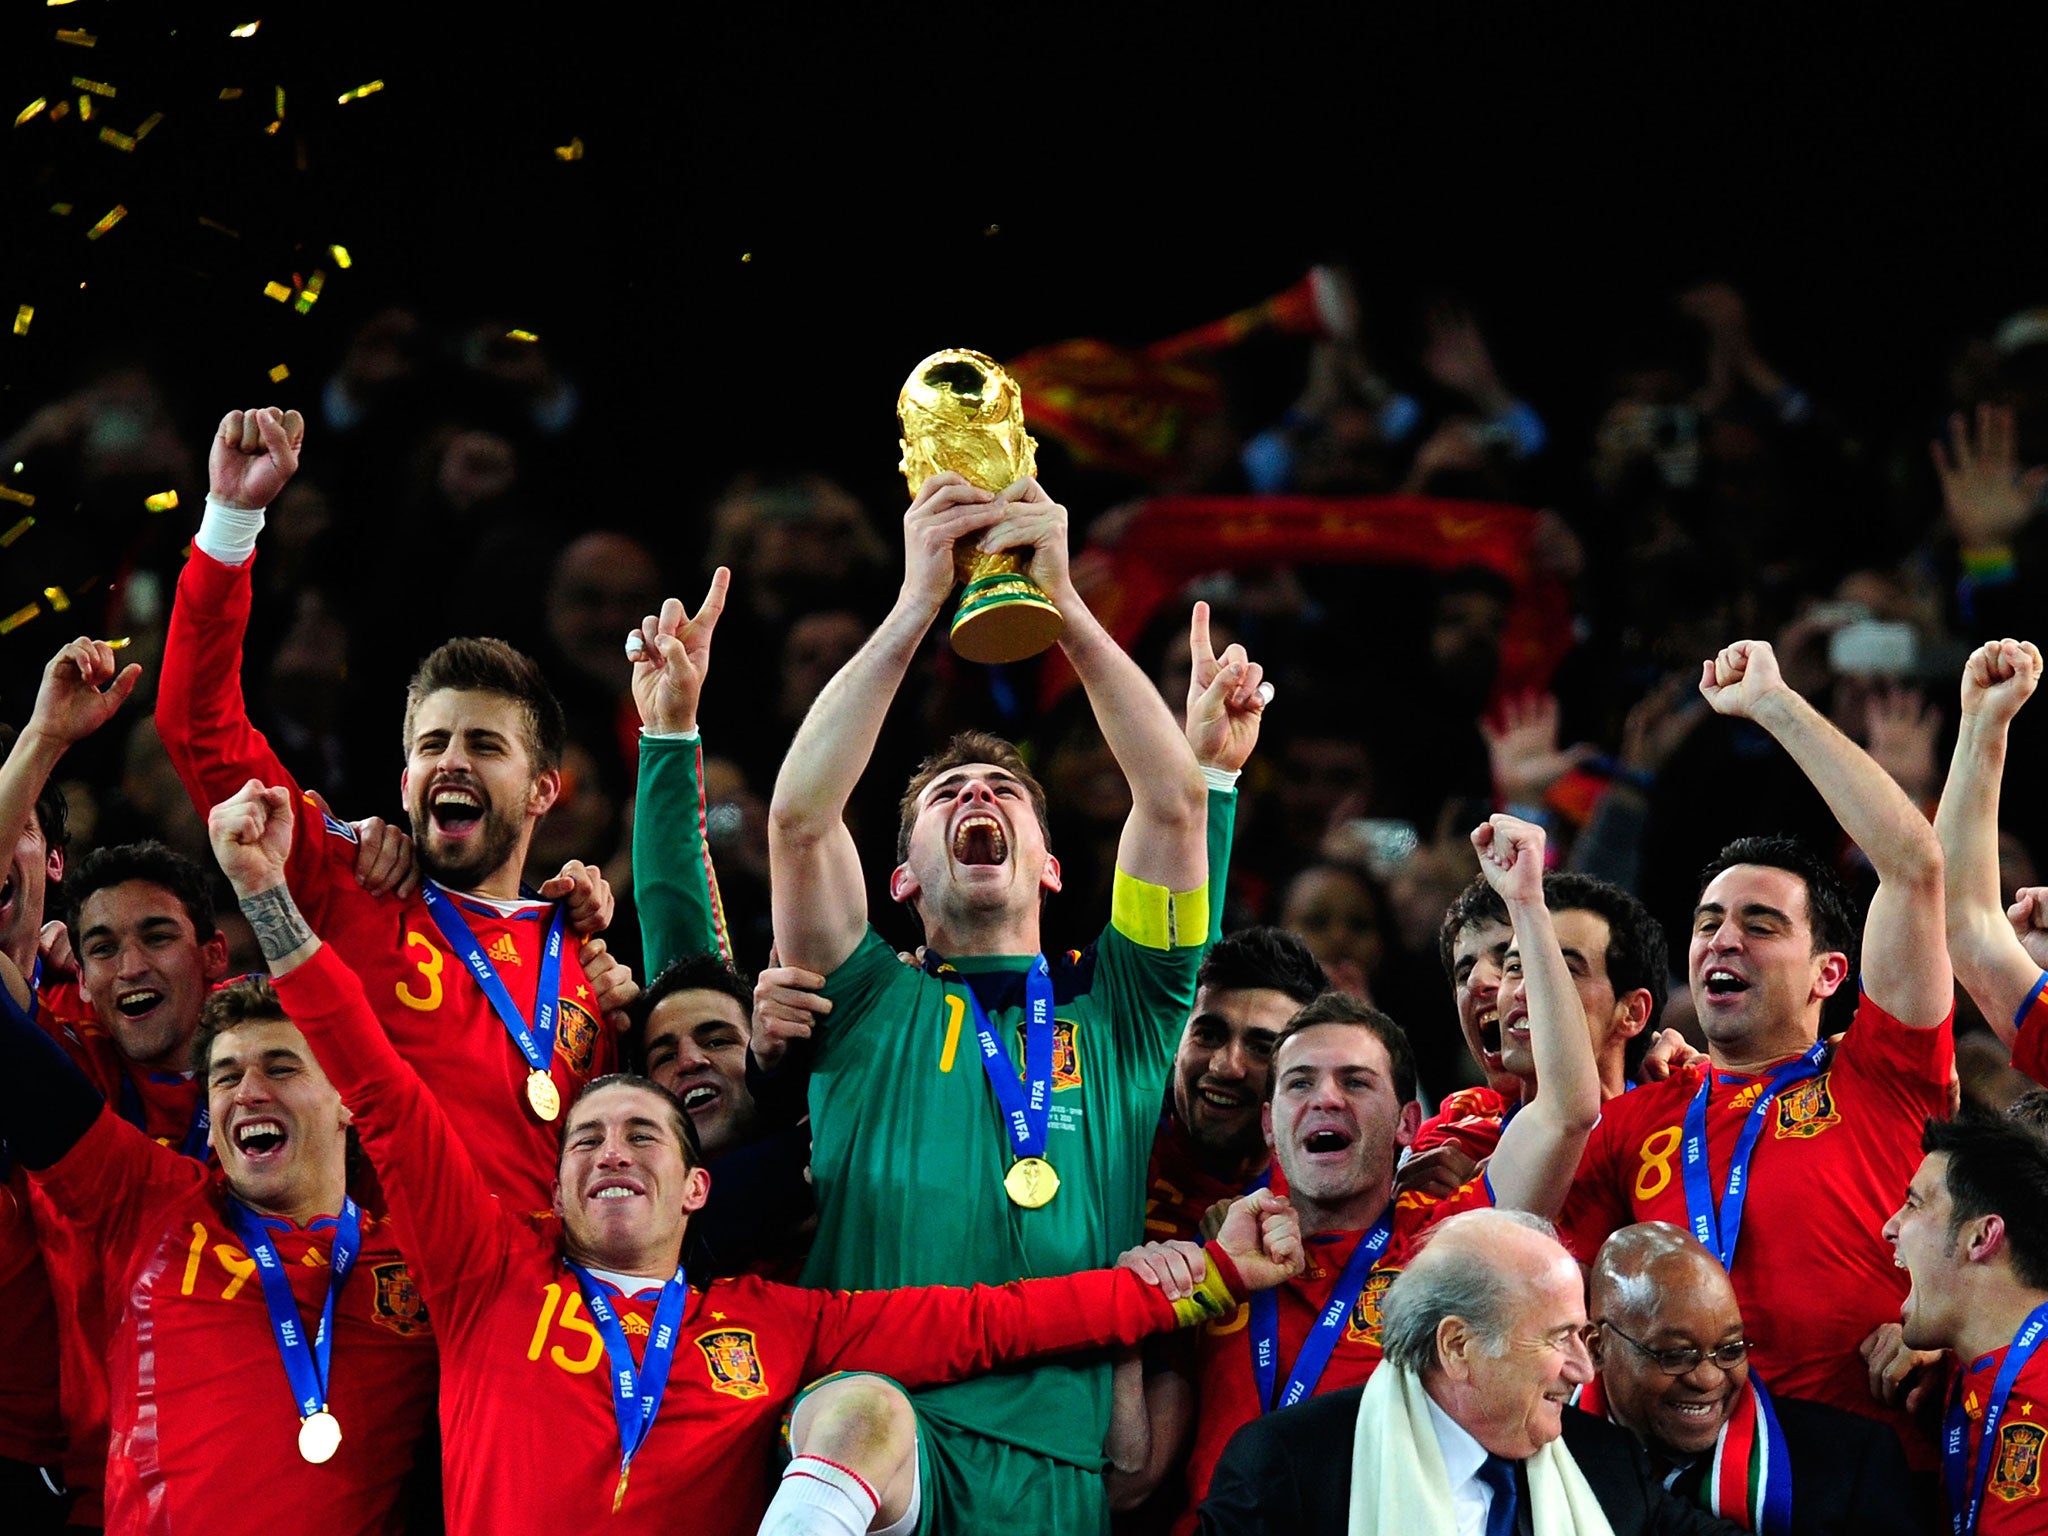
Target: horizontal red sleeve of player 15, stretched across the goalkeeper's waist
[(937, 1334)]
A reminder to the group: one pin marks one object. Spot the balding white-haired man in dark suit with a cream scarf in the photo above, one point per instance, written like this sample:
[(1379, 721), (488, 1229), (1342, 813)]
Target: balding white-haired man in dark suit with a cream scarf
[(1465, 1426)]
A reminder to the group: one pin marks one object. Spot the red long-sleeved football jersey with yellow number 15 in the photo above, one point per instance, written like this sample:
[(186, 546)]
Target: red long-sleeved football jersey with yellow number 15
[(529, 1437)]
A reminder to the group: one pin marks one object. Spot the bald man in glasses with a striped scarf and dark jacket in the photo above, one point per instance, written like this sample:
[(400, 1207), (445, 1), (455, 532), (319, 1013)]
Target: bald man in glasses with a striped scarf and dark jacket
[(1674, 1371)]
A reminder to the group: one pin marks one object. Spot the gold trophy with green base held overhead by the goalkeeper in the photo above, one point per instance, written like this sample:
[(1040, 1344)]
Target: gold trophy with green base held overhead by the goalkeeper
[(962, 413)]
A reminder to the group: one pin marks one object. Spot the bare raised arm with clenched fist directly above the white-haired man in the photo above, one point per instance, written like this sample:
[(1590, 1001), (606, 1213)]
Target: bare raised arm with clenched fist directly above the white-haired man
[(1543, 1144)]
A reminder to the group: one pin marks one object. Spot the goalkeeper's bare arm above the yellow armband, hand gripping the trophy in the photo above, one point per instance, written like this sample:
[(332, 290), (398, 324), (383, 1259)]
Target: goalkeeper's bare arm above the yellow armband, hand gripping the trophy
[(1166, 837)]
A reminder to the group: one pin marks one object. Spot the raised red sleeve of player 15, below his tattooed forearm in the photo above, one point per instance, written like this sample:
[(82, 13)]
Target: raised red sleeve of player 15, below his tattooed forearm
[(447, 1222)]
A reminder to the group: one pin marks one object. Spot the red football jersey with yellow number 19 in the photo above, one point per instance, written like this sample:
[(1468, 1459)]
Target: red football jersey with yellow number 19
[(204, 1420)]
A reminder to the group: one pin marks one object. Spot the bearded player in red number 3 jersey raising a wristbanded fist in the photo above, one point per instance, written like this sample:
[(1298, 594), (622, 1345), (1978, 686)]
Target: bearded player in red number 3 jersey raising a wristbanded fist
[(480, 986)]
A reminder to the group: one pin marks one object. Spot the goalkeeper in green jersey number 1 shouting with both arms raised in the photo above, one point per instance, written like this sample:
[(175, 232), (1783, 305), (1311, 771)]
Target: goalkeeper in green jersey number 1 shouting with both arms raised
[(945, 1148)]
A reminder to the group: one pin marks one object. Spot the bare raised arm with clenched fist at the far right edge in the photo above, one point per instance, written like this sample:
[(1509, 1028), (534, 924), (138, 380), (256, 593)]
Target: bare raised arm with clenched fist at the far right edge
[(1990, 959)]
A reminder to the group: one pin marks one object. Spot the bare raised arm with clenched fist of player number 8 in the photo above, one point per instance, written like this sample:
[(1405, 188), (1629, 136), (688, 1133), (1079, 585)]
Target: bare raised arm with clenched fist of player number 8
[(1906, 943)]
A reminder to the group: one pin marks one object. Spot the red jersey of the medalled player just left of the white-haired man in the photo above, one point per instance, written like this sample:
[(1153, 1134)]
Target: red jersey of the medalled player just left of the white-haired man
[(1228, 1388)]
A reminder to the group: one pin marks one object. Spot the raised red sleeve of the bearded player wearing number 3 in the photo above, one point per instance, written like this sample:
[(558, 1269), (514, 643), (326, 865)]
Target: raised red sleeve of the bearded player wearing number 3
[(206, 724)]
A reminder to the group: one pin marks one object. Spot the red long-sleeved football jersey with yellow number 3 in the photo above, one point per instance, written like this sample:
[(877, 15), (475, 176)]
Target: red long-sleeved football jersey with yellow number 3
[(421, 990)]
